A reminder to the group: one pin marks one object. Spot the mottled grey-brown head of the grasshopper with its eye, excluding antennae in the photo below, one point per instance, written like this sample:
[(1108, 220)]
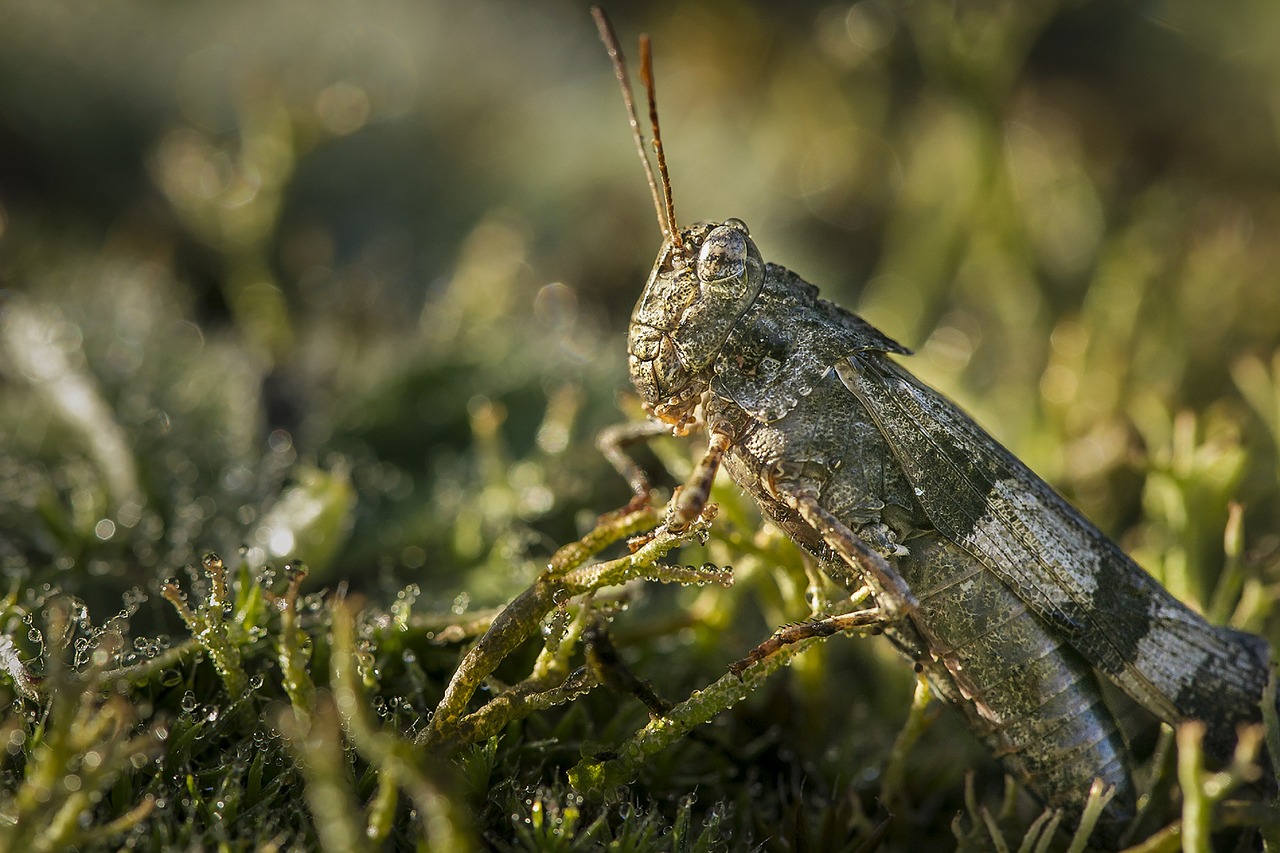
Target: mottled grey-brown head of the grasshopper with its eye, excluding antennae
[(700, 289)]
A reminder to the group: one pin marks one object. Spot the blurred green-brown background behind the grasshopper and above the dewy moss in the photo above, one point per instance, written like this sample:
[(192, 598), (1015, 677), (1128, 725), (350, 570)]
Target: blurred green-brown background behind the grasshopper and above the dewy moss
[(350, 282)]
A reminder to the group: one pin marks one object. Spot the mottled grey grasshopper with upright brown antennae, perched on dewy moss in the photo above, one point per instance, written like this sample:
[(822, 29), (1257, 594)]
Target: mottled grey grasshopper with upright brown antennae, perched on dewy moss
[(1013, 604)]
